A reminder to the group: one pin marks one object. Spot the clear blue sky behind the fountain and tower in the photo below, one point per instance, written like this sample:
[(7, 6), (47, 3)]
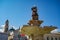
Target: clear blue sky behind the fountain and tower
[(18, 12)]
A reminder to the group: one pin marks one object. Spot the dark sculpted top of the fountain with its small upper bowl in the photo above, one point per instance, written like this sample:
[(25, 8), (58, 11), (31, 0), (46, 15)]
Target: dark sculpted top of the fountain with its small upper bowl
[(35, 21)]
